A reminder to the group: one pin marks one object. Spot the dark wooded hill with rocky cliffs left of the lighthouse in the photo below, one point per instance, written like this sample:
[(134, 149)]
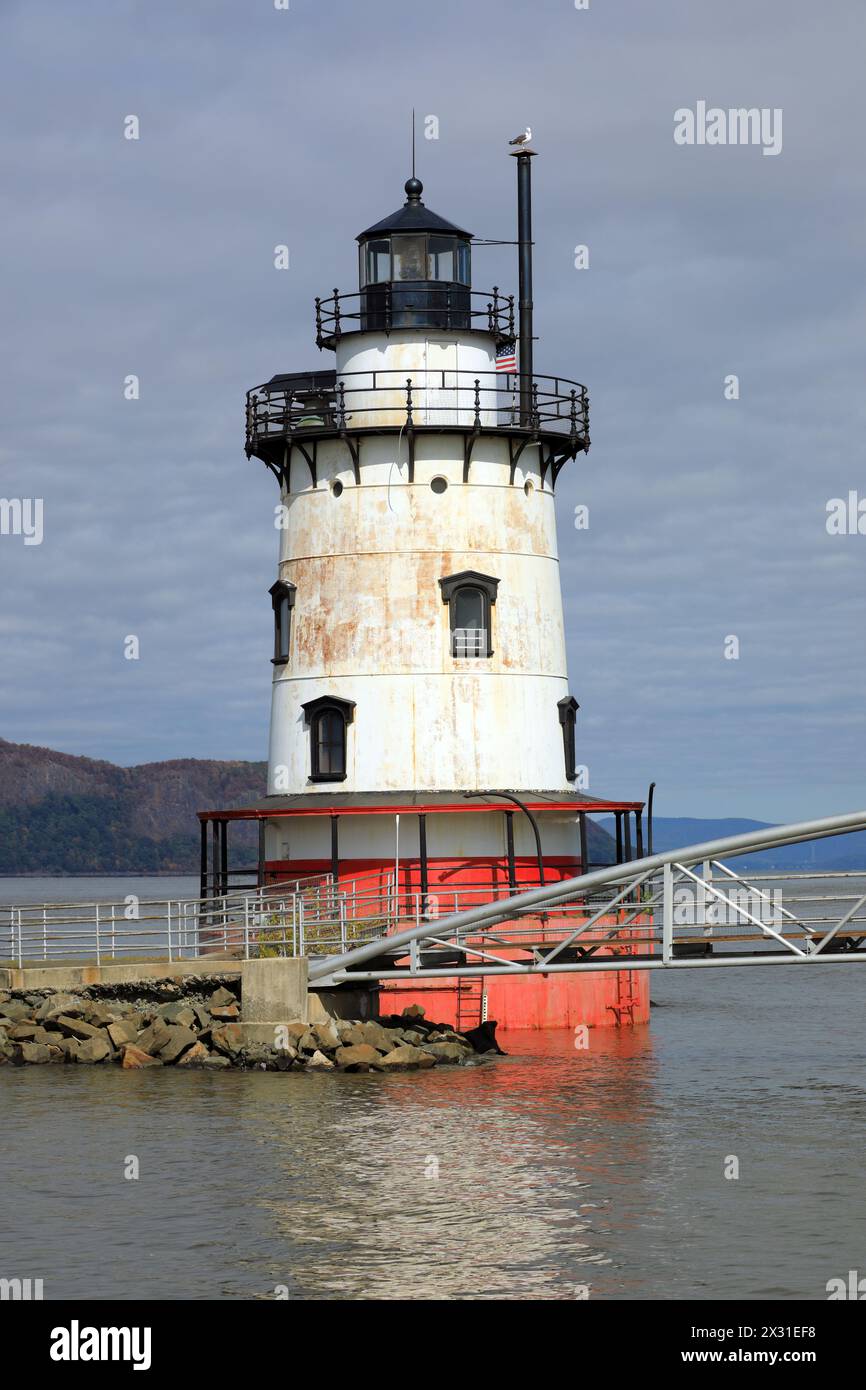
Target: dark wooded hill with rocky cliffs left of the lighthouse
[(60, 814)]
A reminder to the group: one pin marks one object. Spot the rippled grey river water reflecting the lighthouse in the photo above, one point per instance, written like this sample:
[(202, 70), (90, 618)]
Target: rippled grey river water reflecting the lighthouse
[(555, 1172)]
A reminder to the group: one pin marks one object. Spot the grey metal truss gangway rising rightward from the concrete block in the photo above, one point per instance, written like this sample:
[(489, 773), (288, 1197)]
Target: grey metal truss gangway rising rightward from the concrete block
[(680, 910)]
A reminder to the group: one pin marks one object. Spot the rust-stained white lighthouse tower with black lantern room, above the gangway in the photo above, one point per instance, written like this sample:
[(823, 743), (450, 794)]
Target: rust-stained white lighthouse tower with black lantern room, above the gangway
[(425, 728)]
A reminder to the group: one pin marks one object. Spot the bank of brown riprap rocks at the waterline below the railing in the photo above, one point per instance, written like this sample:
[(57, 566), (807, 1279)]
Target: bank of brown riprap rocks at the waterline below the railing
[(199, 1025)]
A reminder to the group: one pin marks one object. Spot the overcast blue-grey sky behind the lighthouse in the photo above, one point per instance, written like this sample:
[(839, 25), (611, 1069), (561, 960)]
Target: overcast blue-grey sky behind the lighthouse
[(263, 127)]
